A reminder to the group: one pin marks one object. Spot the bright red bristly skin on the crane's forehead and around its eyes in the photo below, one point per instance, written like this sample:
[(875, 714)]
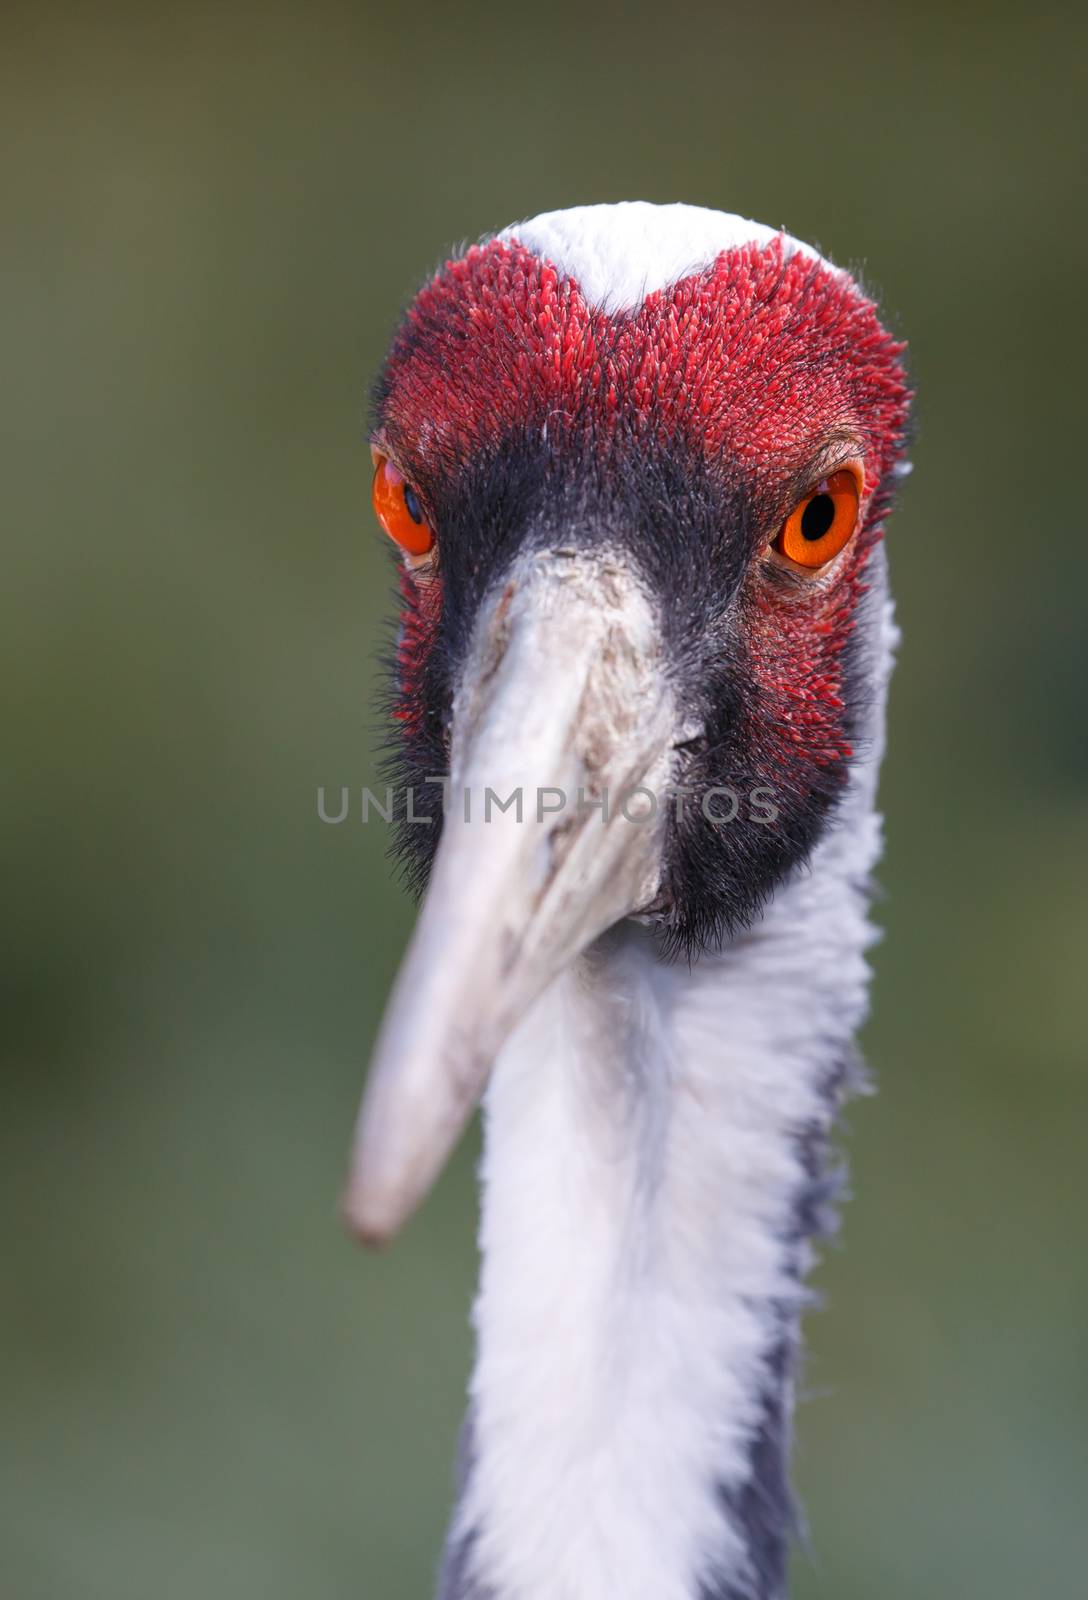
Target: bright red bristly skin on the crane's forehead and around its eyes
[(762, 359)]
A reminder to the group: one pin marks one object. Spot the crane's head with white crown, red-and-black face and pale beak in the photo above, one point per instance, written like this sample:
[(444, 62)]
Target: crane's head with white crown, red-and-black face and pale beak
[(638, 463)]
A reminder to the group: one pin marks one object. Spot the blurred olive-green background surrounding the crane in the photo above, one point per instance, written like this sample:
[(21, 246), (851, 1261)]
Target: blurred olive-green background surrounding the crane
[(212, 217)]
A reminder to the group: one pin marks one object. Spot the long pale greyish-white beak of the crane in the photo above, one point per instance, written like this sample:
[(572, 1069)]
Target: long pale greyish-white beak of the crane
[(564, 700)]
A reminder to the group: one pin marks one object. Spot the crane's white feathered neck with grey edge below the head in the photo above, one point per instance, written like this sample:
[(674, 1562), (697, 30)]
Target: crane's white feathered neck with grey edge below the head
[(654, 1175)]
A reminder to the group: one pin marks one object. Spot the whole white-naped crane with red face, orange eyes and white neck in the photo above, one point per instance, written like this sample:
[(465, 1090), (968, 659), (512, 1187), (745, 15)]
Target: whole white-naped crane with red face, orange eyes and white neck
[(638, 460)]
